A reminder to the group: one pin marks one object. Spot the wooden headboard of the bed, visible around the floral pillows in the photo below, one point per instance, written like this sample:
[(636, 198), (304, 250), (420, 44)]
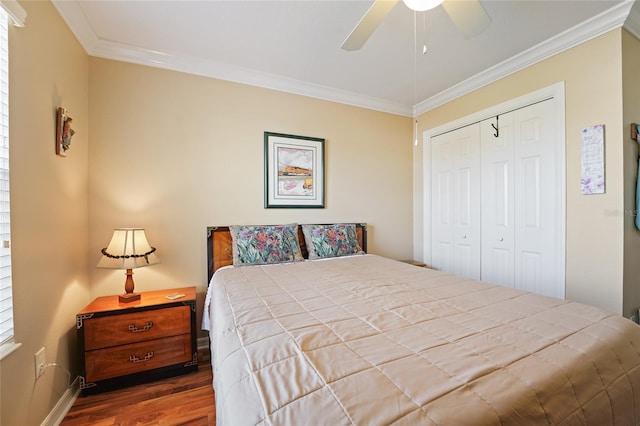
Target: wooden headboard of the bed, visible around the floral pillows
[(220, 253)]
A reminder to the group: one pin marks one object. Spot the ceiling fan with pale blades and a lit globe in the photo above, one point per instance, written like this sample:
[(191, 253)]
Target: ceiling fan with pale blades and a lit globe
[(468, 16)]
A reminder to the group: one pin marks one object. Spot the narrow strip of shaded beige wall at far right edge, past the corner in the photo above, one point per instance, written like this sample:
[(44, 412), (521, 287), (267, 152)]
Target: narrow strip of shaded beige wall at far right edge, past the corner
[(631, 114)]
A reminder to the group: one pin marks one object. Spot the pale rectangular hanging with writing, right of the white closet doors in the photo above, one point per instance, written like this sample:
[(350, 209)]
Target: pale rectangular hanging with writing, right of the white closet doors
[(593, 173)]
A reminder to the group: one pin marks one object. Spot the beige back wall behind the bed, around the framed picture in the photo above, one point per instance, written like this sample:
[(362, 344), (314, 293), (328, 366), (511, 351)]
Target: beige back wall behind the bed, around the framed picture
[(175, 153)]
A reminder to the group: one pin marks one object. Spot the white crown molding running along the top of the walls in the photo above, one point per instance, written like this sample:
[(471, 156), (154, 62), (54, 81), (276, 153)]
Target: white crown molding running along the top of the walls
[(610, 19)]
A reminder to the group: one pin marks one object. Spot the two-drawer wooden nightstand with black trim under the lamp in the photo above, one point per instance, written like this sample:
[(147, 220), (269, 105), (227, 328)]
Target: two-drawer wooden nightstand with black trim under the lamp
[(124, 344)]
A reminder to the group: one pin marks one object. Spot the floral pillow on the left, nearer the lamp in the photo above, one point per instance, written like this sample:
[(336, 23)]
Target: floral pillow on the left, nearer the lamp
[(262, 245)]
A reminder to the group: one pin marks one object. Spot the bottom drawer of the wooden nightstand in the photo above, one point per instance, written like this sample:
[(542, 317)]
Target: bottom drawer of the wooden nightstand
[(122, 360)]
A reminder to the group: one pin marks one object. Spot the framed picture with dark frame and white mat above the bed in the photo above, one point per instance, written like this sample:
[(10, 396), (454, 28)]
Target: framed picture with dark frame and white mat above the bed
[(293, 171)]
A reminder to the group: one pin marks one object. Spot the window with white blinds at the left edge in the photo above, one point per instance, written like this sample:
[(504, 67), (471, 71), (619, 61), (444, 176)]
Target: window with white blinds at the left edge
[(10, 10)]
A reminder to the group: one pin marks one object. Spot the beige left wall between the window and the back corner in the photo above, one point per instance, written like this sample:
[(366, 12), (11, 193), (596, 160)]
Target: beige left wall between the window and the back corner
[(48, 68)]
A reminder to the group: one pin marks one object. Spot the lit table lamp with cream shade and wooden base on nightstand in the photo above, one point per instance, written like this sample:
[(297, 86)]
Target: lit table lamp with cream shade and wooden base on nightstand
[(128, 249)]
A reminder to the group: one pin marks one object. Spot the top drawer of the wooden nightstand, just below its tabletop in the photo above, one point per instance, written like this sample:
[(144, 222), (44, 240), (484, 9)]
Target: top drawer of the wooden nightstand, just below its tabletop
[(108, 331)]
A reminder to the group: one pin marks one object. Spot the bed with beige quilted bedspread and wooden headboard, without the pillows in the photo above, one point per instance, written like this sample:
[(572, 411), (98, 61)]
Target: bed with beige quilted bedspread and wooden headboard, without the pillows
[(362, 339)]
